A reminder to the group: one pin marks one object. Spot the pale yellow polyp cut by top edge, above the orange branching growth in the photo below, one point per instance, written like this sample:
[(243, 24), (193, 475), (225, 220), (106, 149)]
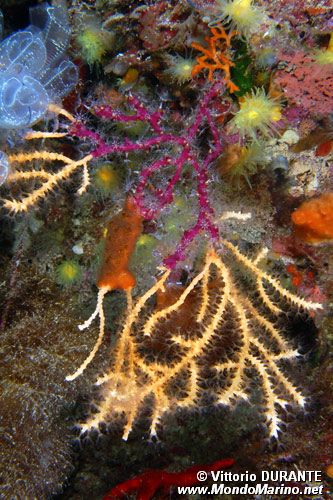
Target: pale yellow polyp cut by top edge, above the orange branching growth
[(242, 14)]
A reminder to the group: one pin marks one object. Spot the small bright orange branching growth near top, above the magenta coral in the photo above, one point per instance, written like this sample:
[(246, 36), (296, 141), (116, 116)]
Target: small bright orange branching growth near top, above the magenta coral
[(214, 57)]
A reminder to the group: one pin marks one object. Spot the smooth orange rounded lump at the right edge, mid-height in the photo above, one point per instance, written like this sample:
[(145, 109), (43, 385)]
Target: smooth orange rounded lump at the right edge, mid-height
[(313, 219)]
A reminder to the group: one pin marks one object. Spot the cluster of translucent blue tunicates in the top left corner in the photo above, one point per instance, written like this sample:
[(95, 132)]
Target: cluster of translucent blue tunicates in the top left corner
[(33, 68)]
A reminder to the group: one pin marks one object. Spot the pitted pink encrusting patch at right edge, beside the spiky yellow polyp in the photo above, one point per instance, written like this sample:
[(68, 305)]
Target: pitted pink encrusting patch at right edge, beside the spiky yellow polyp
[(305, 83)]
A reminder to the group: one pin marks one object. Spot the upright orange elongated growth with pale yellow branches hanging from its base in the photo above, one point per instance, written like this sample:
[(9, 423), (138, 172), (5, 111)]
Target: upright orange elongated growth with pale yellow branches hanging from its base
[(122, 233)]
